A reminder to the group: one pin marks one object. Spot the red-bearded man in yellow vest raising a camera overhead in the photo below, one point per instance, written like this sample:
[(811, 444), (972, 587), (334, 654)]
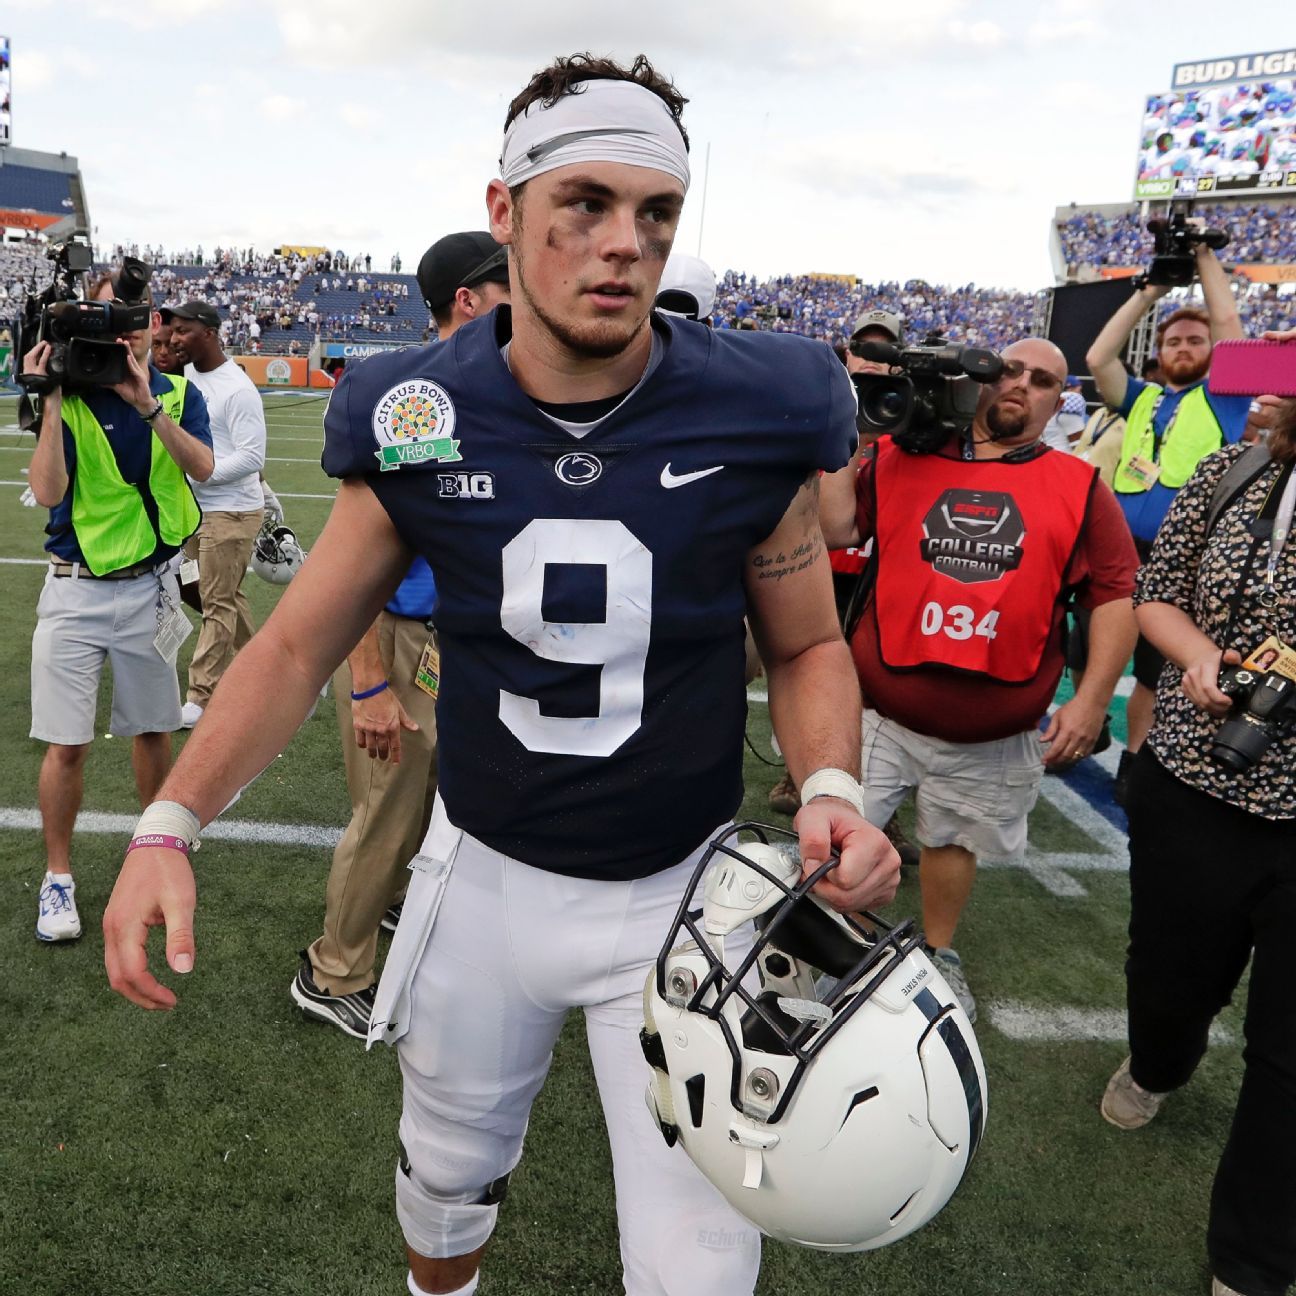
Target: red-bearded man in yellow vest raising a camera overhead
[(1170, 427)]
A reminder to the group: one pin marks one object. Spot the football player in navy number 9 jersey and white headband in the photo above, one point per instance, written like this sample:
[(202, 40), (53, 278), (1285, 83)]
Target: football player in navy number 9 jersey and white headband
[(602, 493)]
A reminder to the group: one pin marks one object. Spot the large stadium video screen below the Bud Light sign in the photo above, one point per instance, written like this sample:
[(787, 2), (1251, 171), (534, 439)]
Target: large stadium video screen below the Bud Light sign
[(1225, 139)]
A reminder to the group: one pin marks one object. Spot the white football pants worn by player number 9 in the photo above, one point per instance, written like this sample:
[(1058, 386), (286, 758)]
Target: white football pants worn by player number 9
[(496, 955)]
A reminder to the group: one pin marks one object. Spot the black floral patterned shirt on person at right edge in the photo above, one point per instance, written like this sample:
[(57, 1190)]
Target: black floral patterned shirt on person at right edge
[(1201, 575)]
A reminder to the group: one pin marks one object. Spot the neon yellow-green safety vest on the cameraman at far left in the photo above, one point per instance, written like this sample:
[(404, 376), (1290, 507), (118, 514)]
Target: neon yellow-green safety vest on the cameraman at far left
[(112, 524)]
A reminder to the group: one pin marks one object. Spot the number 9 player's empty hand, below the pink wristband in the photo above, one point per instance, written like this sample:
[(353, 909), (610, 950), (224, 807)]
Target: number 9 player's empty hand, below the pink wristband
[(154, 888)]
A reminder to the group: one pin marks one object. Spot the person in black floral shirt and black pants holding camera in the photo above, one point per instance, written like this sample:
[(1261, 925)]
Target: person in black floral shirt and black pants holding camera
[(1212, 811)]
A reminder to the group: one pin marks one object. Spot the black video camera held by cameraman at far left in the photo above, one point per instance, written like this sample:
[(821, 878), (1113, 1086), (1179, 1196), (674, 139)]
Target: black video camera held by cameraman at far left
[(82, 335)]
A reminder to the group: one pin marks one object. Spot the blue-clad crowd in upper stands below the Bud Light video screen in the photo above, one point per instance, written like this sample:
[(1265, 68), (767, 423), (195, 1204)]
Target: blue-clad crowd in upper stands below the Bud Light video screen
[(1259, 233)]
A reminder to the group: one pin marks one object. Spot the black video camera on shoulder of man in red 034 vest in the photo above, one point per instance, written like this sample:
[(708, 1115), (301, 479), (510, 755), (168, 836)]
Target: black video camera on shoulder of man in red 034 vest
[(931, 393)]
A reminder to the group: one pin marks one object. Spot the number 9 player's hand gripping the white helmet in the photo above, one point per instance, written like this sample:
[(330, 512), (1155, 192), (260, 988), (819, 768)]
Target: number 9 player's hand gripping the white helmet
[(869, 870)]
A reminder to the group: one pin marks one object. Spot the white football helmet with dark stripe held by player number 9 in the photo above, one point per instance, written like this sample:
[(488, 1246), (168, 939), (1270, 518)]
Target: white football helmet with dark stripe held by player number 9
[(840, 1117)]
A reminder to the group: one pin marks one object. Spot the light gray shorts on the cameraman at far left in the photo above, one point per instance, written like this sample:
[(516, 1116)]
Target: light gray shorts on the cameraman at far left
[(80, 624)]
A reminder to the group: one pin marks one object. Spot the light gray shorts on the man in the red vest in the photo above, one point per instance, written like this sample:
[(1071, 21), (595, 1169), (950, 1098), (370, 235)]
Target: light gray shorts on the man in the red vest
[(971, 795)]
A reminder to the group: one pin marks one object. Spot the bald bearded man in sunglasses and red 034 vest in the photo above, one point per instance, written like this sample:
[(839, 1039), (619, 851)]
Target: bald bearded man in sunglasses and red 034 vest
[(960, 649)]
